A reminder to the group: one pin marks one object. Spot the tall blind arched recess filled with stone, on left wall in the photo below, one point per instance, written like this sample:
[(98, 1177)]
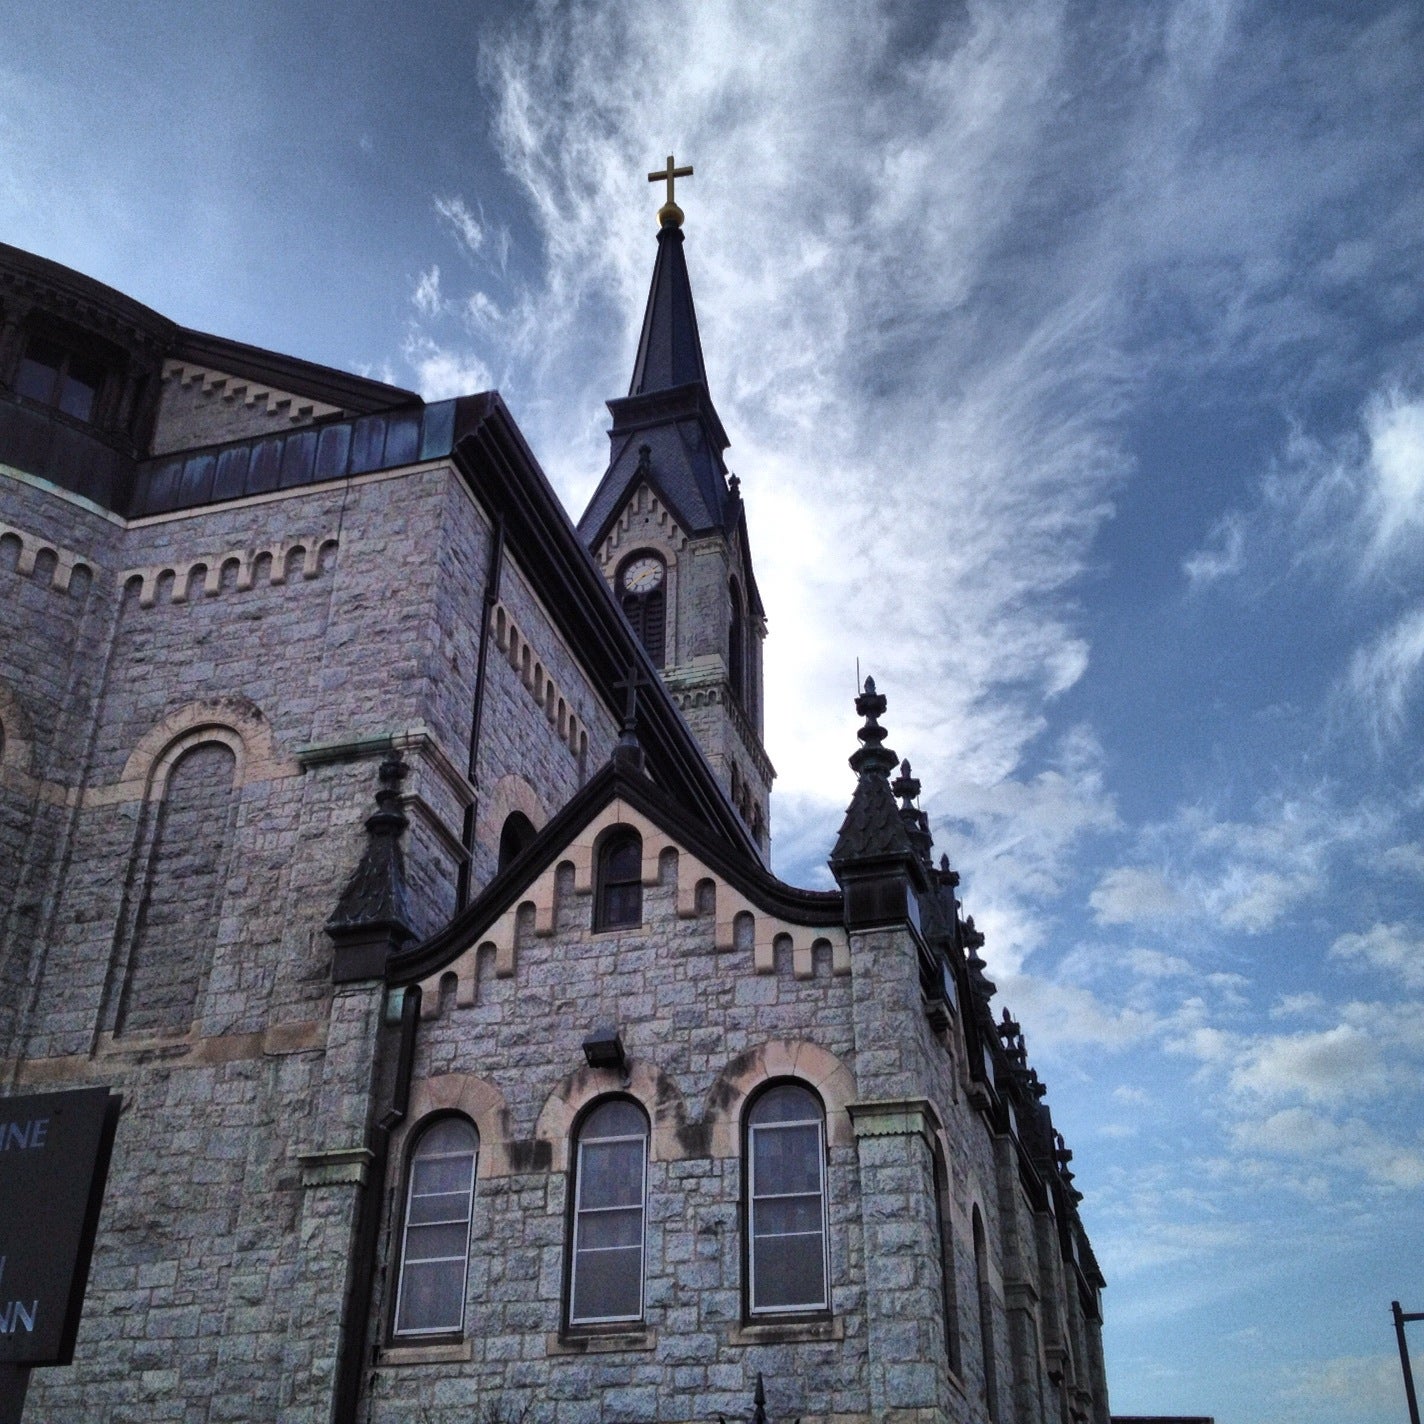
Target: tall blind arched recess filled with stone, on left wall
[(182, 864)]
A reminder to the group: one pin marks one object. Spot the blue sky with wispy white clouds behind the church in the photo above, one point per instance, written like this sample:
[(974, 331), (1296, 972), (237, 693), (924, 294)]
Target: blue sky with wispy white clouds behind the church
[(1073, 358)]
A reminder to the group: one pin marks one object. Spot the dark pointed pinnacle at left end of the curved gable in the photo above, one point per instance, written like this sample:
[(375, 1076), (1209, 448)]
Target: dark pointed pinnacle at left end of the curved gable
[(372, 916)]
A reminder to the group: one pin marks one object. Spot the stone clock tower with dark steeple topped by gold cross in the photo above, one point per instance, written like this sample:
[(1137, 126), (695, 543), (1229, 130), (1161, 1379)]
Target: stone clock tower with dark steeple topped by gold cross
[(669, 529)]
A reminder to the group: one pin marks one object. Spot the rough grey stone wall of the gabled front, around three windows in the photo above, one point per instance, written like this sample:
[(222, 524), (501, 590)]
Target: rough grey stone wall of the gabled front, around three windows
[(703, 1029)]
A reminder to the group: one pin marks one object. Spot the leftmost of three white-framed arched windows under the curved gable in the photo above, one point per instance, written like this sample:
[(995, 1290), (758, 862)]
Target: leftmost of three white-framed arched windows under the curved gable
[(435, 1251)]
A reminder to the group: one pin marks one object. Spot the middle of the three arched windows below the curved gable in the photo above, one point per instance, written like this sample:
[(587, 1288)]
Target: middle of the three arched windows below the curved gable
[(610, 1193)]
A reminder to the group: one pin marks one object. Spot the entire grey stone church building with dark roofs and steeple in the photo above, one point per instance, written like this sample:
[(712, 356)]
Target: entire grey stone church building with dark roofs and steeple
[(398, 849)]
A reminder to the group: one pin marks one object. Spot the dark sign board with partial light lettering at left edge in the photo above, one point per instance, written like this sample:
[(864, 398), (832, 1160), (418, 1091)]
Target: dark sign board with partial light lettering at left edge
[(55, 1151)]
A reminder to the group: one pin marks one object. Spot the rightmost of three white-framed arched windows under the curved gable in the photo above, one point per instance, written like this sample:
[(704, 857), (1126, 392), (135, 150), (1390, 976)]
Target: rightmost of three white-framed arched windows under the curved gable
[(787, 1203)]
